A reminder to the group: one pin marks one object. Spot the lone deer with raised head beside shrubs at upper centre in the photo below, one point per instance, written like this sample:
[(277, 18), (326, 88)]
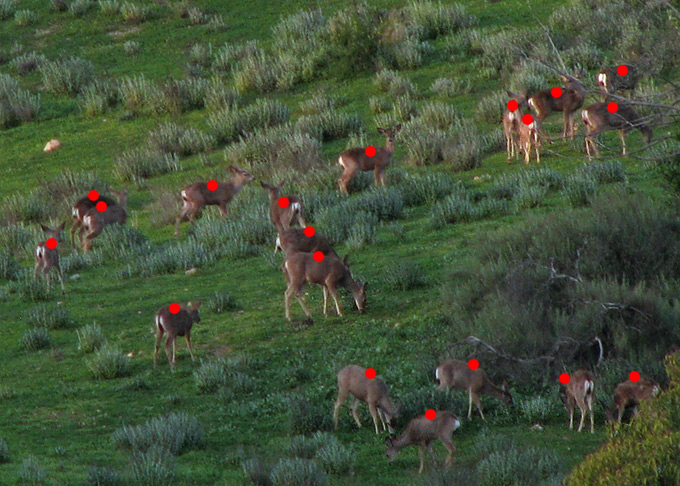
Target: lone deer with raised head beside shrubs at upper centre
[(355, 159)]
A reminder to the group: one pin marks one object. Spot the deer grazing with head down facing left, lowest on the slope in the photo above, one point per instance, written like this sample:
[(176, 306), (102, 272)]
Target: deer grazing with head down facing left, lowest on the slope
[(422, 432)]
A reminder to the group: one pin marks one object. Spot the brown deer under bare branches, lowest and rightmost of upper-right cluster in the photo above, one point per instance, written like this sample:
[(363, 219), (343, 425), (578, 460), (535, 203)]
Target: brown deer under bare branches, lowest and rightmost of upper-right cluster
[(598, 119)]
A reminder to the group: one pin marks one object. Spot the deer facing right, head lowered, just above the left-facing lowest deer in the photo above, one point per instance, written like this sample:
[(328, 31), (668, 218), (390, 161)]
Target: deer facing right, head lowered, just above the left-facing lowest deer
[(456, 374)]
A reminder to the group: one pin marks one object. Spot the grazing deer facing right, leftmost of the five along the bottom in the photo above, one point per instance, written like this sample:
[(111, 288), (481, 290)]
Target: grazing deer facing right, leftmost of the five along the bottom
[(352, 380)]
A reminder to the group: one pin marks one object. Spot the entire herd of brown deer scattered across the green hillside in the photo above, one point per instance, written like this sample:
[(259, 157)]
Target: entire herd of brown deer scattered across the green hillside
[(309, 258)]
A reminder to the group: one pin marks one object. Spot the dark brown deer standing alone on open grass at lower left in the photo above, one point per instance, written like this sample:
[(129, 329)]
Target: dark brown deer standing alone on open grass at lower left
[(174, 325)]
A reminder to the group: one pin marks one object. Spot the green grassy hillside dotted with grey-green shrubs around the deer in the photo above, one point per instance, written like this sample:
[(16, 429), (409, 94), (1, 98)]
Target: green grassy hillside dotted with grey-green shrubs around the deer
[(425, 244)]
